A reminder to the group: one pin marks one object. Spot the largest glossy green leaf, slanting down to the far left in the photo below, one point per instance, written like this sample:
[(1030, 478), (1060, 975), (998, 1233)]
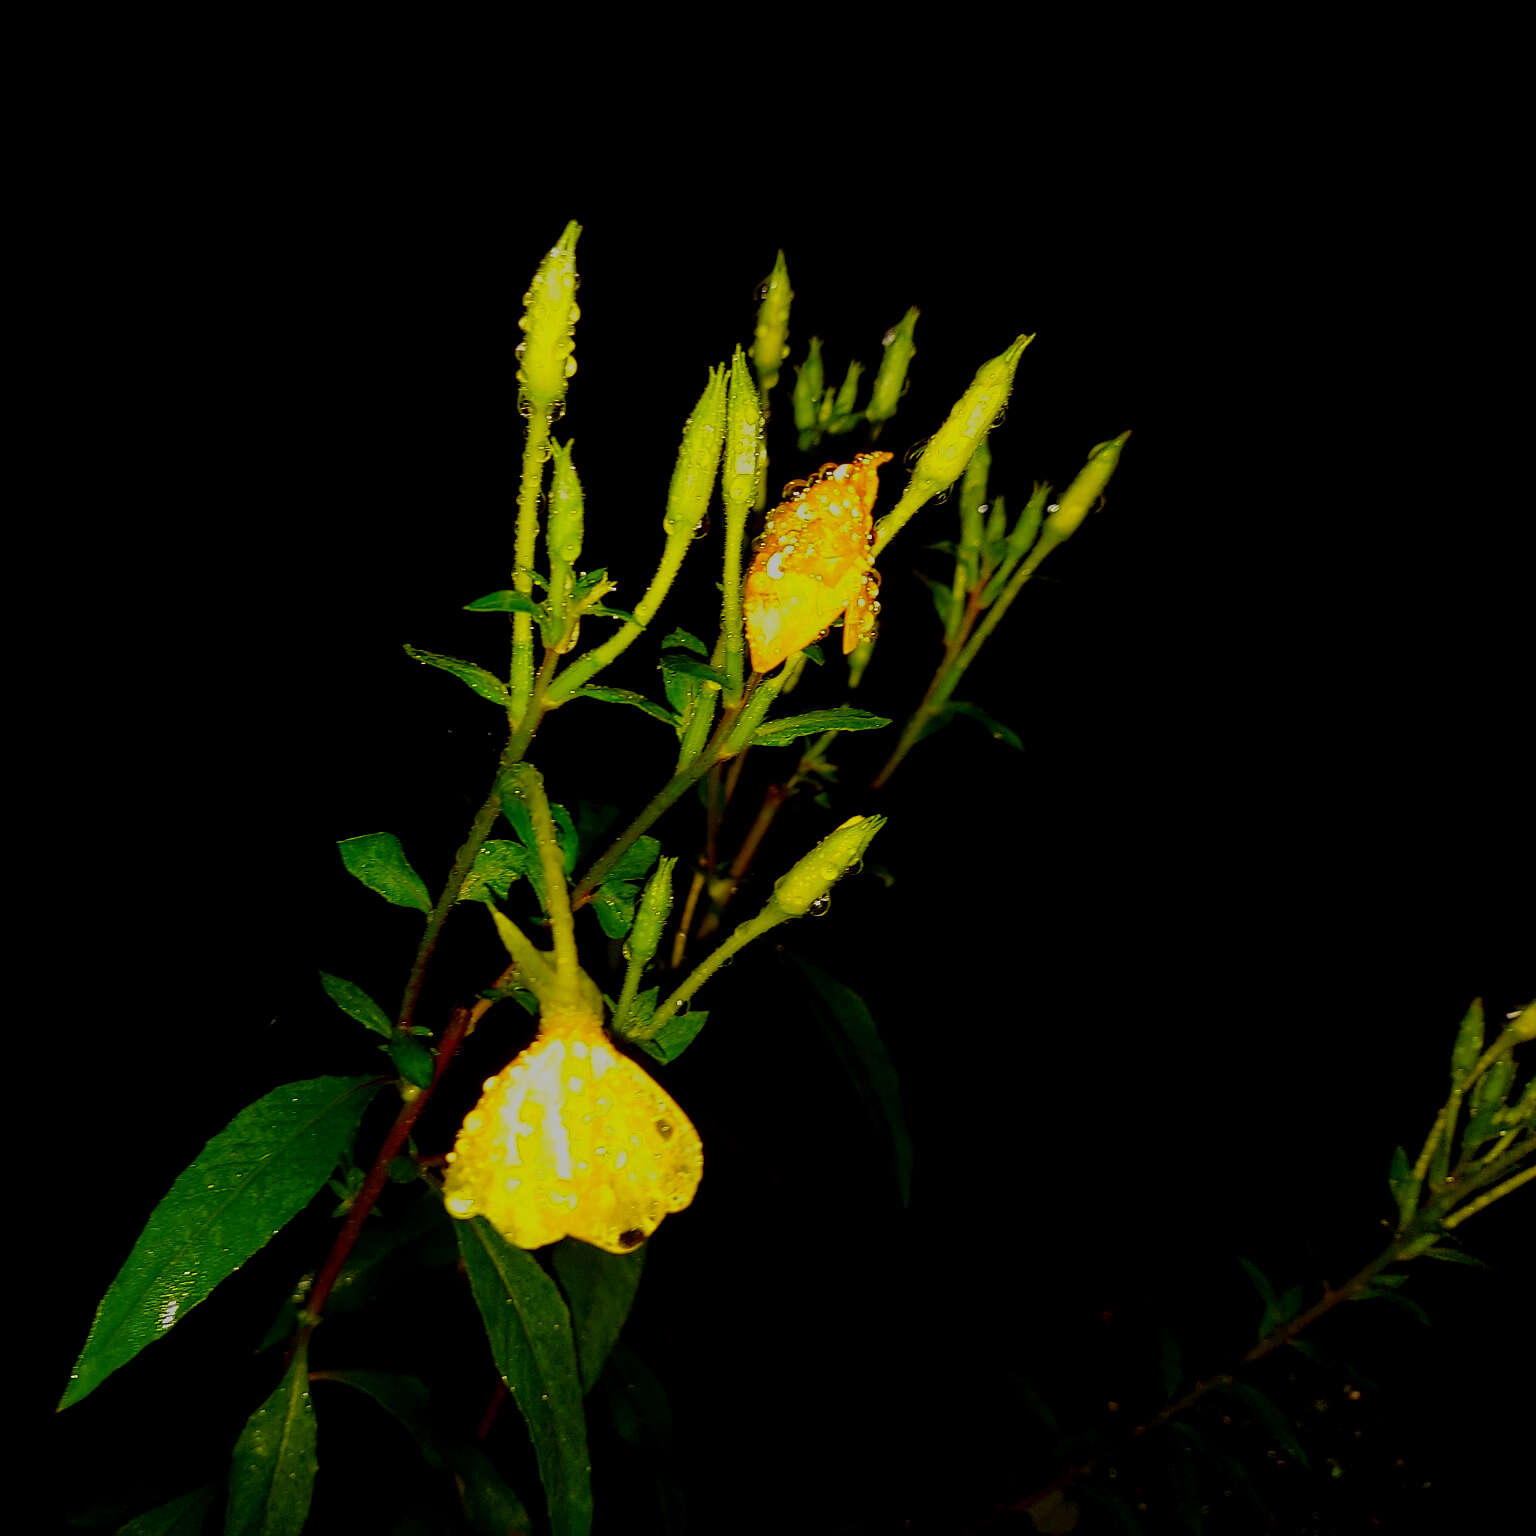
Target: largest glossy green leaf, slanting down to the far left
[(254, 1177)]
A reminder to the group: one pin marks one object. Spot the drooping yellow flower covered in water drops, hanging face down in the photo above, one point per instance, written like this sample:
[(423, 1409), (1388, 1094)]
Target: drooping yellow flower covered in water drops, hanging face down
[(574, 1139)]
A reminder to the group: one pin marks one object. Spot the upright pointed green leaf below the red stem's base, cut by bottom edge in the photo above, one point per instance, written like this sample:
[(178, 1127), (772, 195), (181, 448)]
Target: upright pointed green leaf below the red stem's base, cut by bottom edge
[(273, 1472)]
